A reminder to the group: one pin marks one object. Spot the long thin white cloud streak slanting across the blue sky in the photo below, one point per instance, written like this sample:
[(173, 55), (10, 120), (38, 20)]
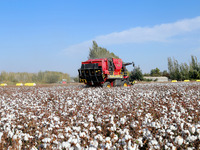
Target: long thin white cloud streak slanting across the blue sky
[(157, 33)]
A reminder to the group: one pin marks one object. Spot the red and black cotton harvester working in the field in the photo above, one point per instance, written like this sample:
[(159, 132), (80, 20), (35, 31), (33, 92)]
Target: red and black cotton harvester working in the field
[(104, 72)]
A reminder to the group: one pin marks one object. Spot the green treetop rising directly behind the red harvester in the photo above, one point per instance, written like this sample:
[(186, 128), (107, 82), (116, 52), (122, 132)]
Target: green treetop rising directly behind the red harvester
[(99, 52)]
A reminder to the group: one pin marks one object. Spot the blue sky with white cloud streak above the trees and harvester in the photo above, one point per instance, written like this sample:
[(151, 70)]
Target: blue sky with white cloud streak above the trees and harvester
[(40, 35)]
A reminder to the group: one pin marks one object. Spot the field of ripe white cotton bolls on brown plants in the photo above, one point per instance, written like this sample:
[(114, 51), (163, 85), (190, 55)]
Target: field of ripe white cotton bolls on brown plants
[(143, 116)]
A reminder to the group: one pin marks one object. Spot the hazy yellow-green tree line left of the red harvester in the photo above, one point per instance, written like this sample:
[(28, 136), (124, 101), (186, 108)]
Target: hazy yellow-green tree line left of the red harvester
[(40, 77)]
